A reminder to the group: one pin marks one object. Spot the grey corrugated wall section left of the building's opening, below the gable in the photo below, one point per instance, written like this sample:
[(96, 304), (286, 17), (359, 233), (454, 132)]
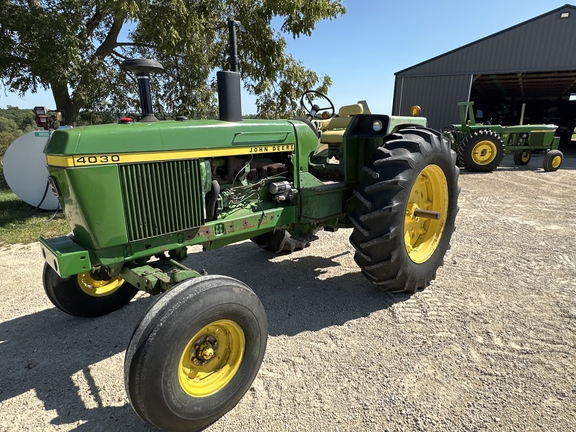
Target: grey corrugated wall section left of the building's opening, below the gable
[(438, 97)]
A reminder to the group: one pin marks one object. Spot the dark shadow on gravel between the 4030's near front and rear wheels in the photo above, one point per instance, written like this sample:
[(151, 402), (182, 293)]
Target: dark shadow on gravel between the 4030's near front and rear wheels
[(294, 296)]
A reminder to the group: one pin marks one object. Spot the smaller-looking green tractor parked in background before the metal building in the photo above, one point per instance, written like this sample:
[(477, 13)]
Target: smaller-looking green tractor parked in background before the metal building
[(481, 147)]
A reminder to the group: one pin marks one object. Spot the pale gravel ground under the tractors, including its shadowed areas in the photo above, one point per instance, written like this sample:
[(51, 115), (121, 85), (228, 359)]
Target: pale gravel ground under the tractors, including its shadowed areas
[(489, 345)]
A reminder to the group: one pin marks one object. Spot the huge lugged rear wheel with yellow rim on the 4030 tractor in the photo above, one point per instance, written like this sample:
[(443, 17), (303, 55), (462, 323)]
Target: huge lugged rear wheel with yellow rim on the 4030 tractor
[(411, 178)]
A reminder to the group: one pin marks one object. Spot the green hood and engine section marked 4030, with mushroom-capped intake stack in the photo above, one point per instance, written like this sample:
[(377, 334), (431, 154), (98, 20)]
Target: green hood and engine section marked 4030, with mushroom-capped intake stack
[(137, 189)]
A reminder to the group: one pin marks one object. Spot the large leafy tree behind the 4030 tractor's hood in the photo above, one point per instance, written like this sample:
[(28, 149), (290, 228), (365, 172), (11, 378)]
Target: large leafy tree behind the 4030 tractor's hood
[(72, 47)]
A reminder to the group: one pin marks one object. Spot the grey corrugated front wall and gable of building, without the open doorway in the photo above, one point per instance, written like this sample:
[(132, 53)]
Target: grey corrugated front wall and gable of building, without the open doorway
[(545, 43)]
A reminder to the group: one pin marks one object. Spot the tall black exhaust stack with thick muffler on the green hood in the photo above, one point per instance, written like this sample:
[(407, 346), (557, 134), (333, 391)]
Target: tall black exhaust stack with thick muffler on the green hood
[(229, 98)]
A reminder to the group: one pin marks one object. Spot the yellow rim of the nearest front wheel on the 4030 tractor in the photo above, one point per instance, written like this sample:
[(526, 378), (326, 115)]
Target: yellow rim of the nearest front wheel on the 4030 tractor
[(211, 358)]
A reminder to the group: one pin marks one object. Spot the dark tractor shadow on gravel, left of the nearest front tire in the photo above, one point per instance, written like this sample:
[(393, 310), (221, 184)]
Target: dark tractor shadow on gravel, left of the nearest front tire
[(50, 352)]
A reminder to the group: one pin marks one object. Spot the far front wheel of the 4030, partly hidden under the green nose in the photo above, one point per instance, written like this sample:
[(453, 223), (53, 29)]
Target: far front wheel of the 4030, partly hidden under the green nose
[(84, 296)]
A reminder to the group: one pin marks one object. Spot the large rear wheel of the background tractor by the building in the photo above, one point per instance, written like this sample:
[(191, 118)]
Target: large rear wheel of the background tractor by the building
[(481, 151)]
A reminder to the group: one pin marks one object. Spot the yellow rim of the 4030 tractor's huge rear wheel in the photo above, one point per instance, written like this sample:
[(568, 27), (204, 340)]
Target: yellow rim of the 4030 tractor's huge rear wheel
[(422, 234)]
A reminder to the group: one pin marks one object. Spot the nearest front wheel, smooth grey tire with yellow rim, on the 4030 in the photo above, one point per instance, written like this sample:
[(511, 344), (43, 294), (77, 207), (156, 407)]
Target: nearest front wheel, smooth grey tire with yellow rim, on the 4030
[(195, 353)]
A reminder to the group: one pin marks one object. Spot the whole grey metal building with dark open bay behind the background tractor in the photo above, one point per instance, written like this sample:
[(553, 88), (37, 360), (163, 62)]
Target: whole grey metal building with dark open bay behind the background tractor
[(524, 74)]
